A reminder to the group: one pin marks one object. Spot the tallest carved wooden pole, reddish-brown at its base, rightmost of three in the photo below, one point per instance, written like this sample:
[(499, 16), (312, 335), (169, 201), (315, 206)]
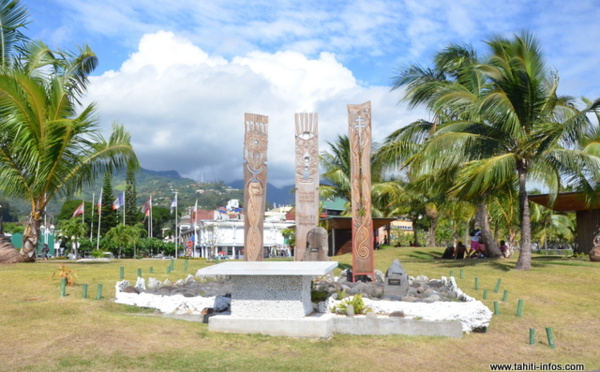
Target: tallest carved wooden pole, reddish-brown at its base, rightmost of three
[(359, 123)]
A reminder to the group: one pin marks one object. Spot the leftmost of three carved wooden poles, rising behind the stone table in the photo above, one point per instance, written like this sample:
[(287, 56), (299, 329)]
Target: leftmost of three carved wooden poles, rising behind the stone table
[(255, 184)]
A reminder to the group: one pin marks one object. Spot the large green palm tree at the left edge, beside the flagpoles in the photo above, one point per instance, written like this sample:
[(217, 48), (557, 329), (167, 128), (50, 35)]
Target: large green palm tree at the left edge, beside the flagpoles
[(48, 146)]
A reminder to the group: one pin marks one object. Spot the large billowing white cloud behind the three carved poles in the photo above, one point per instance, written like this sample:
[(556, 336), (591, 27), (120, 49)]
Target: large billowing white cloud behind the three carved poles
[(185, 109)]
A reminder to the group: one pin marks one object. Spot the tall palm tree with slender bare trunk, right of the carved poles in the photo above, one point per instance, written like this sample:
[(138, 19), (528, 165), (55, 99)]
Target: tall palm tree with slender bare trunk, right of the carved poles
[(519, 129)]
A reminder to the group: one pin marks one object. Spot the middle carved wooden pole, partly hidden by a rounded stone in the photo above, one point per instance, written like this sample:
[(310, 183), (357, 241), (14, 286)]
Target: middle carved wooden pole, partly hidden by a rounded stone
[(307, 178)]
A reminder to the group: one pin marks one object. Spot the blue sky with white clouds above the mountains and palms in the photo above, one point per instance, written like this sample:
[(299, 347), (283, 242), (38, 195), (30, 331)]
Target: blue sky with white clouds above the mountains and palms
[(180, 74)]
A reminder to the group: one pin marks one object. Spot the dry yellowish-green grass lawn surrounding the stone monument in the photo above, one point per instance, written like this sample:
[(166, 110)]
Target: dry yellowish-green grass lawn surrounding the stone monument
[(41, 331)]
